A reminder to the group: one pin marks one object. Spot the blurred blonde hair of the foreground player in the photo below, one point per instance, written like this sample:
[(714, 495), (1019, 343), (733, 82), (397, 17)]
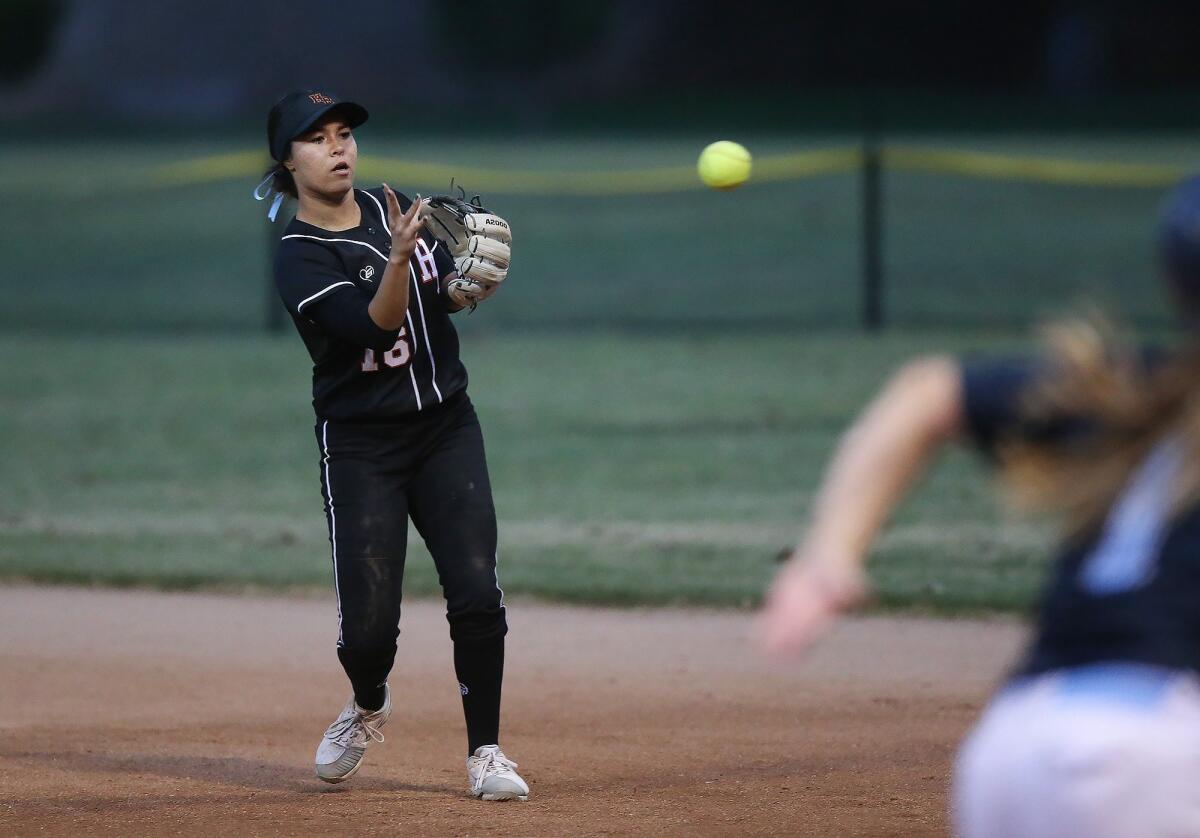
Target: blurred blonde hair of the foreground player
[(1125, 408)]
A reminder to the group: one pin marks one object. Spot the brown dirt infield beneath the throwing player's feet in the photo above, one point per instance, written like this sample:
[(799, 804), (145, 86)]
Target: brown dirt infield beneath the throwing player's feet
[(146, 714)]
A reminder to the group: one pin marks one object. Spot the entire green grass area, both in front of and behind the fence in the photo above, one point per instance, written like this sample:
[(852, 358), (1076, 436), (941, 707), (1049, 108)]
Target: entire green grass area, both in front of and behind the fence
[(661, 381)]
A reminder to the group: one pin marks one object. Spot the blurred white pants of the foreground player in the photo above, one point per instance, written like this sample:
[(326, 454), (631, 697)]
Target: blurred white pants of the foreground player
[(1101, 752)]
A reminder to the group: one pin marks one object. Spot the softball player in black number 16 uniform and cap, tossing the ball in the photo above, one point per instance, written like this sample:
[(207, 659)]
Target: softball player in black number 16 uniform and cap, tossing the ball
[(371, 294)]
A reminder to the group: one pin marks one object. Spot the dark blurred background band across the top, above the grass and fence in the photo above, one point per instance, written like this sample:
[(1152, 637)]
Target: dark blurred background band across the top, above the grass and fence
[(542, 59)]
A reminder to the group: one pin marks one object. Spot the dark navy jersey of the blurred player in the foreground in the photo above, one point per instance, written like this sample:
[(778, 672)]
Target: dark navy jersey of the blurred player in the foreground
[(1132, 591)]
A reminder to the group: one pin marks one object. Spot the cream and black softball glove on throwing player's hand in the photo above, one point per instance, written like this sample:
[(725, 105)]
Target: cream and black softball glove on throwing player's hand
[(479, 243)]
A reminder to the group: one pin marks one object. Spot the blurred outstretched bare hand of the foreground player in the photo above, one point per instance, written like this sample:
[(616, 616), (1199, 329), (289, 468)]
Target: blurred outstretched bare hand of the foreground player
[(806, 597)]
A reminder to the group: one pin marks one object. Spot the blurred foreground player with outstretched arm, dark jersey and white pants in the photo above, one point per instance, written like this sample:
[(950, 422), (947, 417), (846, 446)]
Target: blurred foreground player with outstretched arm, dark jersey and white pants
[(1097, 733)]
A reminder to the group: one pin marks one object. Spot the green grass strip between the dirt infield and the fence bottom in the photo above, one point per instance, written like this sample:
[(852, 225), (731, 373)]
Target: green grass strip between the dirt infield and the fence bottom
[(627, 471)]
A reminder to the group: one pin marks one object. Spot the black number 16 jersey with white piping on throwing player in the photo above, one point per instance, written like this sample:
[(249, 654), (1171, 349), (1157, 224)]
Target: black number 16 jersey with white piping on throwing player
[(361, 372)]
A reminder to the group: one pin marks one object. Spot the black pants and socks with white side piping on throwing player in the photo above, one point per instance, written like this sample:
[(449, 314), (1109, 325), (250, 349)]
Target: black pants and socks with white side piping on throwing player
[(433, 469)]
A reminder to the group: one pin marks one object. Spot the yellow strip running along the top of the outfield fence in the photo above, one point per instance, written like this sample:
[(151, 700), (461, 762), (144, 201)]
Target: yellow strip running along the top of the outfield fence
[(769, 169)]
